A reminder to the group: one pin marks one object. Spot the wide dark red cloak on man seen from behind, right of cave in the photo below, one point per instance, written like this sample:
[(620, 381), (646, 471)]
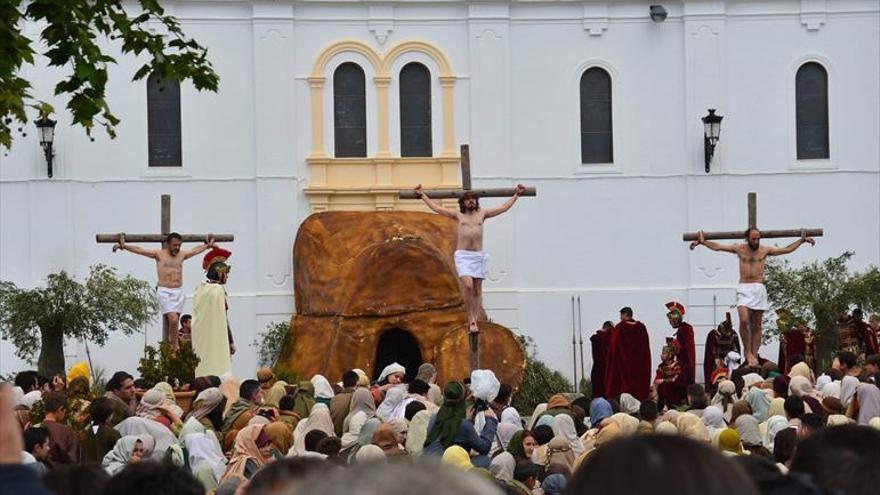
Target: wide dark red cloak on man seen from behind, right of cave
[(629, 361)]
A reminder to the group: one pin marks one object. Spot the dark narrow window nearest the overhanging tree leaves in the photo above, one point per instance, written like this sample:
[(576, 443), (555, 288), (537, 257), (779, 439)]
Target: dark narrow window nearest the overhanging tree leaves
[(163, 122)]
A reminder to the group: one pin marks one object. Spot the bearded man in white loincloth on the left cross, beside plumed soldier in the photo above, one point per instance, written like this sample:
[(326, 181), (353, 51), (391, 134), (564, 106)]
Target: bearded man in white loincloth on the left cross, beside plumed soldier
[(169, 271)]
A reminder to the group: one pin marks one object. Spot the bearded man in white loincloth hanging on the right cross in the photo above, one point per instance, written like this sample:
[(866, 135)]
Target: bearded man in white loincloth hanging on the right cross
[(751, 295)]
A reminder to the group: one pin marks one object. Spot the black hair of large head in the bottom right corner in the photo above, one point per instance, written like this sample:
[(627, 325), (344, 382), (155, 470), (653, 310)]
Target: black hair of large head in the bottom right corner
[(856, 457)]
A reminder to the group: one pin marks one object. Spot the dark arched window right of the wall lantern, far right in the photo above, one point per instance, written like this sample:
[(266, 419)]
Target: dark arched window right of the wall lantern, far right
[(811, 100)]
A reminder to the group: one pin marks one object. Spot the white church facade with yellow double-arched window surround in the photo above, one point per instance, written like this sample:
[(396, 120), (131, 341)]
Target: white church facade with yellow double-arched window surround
[(333, 105)]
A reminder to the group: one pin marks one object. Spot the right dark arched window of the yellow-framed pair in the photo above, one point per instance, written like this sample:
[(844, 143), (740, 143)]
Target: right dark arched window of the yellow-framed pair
[(415, 110)]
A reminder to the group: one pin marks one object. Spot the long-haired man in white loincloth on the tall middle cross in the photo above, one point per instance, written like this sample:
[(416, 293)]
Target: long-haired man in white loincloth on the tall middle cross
[(470, 260)]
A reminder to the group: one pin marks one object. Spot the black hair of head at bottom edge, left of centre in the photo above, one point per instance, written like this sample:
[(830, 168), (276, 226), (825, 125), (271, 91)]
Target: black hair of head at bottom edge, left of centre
[(150, 478)]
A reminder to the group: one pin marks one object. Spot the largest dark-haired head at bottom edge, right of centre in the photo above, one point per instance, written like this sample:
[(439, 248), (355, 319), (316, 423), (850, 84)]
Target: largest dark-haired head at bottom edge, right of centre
[(677, 464)]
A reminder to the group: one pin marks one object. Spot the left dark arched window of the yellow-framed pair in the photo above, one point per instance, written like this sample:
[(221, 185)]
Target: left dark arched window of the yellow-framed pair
[(350, 111)]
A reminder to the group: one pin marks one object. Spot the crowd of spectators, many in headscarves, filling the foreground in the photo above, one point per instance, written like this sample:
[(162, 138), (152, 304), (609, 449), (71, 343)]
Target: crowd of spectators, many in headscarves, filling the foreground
[(765, 434)]
